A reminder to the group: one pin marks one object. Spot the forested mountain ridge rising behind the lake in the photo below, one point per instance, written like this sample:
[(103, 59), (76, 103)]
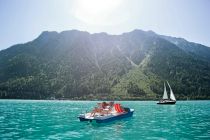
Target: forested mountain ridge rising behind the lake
[(79, 65)]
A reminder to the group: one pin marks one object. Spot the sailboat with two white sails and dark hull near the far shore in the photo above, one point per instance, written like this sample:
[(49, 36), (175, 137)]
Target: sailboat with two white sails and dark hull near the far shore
[(165, 99)]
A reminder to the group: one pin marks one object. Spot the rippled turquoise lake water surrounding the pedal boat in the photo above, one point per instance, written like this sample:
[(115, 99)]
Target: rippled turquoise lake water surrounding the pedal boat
[(26, 119)]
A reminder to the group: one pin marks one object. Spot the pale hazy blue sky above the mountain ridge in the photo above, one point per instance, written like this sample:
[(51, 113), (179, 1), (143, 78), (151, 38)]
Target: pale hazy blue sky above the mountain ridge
[(23, 20)]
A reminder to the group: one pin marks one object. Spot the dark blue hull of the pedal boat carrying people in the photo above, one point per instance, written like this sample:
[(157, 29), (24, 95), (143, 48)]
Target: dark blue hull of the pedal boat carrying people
[(108, 118)]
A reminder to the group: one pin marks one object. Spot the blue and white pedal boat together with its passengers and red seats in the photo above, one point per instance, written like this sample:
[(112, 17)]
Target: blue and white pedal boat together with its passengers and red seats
[(107, 112)]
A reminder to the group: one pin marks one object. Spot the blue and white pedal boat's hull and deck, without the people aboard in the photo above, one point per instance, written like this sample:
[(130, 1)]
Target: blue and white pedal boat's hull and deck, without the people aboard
[(107, 117)]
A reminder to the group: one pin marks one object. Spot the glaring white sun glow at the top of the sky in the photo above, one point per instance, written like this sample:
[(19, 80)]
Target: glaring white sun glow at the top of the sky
[(98, 12)]
